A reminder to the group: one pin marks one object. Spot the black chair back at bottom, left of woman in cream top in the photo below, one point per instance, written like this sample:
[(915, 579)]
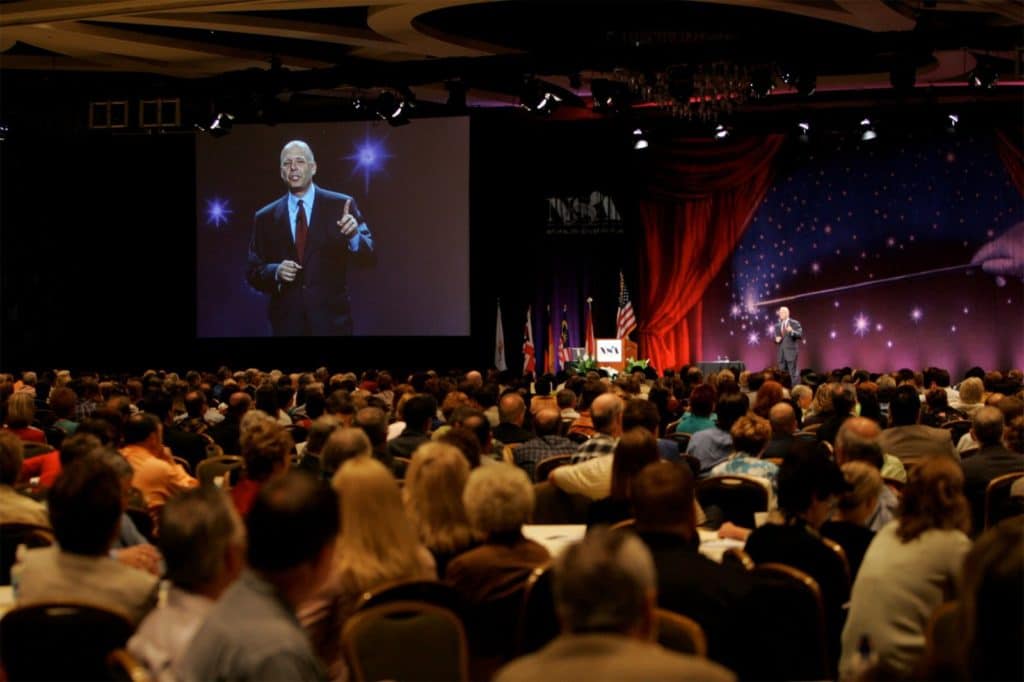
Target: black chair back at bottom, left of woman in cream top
[(785, 615)]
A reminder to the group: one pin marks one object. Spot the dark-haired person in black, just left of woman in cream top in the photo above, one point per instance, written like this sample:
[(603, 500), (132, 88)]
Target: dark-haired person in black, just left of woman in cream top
[(809, 485)]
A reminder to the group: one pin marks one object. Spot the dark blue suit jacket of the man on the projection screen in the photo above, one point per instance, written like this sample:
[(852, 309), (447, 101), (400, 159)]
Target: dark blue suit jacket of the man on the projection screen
[(316, 304)]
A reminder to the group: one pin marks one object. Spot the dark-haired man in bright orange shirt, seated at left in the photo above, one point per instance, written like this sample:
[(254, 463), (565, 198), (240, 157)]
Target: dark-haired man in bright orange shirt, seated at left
[(158, 477)]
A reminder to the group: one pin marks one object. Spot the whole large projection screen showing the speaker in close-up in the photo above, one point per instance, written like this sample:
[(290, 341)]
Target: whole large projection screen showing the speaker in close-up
[(379, 248)]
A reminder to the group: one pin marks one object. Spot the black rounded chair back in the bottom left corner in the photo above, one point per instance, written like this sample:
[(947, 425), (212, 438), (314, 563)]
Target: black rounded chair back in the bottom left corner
[(61, 642)]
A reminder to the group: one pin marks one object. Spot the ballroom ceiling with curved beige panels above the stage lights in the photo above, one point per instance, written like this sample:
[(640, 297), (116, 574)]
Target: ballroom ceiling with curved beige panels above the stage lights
[(338, 49)]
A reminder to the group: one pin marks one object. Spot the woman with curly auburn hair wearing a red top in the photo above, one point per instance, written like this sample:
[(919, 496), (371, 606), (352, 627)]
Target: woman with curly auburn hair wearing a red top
[(267, 448)]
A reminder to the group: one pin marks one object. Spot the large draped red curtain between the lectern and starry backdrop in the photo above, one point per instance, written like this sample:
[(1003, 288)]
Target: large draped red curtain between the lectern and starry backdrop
[(702, 197)]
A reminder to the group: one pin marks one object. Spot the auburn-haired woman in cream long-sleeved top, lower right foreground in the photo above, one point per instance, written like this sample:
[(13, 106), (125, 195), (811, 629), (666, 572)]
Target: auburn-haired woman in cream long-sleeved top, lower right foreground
[(911, 568)]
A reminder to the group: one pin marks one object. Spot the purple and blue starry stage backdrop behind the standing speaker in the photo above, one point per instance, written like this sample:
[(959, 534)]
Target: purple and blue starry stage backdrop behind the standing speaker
[(855, 216)]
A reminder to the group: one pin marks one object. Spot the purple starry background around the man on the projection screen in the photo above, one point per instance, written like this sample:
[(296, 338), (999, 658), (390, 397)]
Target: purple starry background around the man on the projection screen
[(412, 186)]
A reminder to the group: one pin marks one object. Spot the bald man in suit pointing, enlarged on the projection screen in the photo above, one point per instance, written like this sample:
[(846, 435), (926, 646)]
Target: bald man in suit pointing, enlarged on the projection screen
[(303, 245)]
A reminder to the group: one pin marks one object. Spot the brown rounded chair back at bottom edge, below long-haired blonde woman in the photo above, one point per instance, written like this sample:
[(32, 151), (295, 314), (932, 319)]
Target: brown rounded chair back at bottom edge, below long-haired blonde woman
[(406, 641)]
